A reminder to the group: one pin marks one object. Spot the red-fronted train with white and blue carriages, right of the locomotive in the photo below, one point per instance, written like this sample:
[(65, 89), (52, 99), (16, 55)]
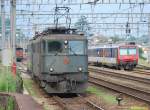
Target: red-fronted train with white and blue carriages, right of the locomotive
[(120, 56)]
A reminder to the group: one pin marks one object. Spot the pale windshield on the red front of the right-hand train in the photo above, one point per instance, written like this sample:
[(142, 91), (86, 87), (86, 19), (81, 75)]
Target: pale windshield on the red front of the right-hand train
[(127, 51)]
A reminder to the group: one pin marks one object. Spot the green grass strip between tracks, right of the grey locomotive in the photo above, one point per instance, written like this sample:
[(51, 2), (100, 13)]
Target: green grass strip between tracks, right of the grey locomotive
[(108, 98)]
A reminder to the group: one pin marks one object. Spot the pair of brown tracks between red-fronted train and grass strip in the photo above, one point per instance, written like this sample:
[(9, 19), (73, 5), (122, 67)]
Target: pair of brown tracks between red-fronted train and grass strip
[(120, 83)]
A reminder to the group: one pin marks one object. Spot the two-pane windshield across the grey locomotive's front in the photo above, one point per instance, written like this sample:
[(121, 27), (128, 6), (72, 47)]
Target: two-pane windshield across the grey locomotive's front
[(70, 48)]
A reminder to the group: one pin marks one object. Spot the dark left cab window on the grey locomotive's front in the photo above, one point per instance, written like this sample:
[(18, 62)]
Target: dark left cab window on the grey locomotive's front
[(54, 46)]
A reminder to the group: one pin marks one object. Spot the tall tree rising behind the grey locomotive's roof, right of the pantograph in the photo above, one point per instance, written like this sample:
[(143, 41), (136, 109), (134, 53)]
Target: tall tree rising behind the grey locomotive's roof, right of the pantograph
[(83, 25)]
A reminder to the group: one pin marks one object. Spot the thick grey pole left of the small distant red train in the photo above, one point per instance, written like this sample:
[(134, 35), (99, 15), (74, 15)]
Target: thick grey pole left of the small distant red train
[(13, 27)]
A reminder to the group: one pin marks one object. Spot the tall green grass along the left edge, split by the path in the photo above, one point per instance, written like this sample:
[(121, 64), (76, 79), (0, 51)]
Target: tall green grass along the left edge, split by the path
[(8, 83)]
